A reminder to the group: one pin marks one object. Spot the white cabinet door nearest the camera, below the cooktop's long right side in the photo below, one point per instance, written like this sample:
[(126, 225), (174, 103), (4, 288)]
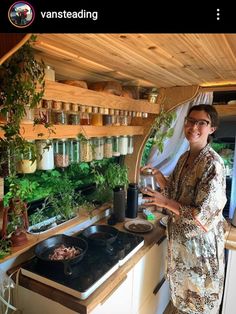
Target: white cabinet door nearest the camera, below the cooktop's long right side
[(119, 301)]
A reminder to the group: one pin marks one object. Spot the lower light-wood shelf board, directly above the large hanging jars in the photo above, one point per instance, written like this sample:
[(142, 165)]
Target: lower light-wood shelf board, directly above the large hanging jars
[(30, 132)]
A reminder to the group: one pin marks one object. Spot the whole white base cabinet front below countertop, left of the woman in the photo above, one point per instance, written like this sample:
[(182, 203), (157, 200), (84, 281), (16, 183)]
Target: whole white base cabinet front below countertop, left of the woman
[(144, 290)]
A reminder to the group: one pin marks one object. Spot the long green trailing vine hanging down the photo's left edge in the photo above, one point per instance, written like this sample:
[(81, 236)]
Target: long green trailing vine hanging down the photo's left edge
[(21, 84)]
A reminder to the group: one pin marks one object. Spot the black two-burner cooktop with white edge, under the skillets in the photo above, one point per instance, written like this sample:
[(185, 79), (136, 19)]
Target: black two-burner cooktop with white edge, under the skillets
[(97, 265)]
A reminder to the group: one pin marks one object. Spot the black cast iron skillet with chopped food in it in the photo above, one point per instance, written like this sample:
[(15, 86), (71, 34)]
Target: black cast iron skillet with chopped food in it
[(47, 247)]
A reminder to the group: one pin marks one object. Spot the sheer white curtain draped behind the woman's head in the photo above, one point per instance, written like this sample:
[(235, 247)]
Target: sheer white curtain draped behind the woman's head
[(175, 146)]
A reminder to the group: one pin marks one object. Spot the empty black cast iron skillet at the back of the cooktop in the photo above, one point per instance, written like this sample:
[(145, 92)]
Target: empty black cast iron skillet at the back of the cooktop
[(101, 235)]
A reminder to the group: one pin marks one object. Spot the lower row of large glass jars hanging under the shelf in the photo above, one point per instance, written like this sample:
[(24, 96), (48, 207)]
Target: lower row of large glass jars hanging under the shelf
[(62, 152)]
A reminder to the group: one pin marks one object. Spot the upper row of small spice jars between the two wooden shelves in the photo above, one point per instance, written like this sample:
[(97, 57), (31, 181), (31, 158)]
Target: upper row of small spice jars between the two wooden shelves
[(58, 112)]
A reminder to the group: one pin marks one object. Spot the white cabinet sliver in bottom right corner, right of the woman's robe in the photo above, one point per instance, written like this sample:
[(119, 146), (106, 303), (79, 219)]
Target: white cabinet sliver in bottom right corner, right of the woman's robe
[(230, 285)]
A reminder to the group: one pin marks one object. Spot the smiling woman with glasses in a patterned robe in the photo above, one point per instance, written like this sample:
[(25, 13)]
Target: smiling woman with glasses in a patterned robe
[(195, 196)]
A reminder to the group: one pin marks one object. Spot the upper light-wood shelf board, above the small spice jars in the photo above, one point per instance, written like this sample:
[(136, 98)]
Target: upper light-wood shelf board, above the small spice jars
[(68, 93)]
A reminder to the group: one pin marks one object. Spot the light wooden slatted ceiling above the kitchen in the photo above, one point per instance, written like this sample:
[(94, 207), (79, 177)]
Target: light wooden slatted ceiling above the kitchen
[(161, 60)]
